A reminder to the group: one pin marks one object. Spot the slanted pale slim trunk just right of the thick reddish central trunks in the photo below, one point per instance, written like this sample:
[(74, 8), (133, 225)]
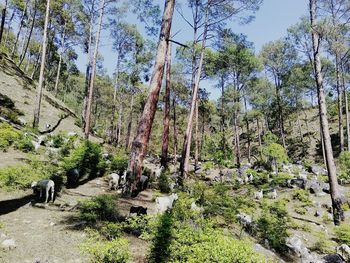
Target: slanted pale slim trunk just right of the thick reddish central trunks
[(185, 158)]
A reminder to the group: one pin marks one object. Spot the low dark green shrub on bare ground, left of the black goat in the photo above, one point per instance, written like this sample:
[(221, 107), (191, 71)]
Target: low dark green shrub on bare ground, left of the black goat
[(99, 208)]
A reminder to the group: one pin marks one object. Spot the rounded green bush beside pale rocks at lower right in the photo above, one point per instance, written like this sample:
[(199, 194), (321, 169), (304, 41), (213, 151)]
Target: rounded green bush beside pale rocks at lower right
[(273, 225)]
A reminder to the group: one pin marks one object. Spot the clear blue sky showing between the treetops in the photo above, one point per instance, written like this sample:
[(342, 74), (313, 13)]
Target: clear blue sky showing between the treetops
[(270, 23)]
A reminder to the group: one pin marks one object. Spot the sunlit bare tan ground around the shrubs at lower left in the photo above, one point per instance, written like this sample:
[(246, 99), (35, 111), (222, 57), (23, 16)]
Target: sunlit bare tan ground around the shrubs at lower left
[(46, 233)]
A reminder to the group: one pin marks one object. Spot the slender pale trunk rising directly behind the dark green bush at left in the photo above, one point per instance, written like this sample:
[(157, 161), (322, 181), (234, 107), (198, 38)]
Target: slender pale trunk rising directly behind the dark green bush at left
[(93, 72)]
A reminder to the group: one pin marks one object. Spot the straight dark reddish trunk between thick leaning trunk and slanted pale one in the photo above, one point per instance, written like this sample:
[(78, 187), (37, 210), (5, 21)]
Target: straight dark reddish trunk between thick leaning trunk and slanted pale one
[(166, 117)]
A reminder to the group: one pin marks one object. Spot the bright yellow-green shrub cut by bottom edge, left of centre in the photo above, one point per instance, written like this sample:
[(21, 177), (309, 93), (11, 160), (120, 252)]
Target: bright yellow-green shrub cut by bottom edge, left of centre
[(107, 251)]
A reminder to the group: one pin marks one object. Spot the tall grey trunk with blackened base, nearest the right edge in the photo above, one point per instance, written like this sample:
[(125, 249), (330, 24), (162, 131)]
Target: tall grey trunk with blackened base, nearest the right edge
[(338, 213)]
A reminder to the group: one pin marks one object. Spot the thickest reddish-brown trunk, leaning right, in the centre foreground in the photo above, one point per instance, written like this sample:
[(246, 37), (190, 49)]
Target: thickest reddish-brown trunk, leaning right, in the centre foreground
[(140, 143)]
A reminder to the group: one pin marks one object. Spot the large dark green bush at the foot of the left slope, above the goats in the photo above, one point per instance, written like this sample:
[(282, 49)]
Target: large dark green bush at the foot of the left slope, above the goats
[(86, 157)]
